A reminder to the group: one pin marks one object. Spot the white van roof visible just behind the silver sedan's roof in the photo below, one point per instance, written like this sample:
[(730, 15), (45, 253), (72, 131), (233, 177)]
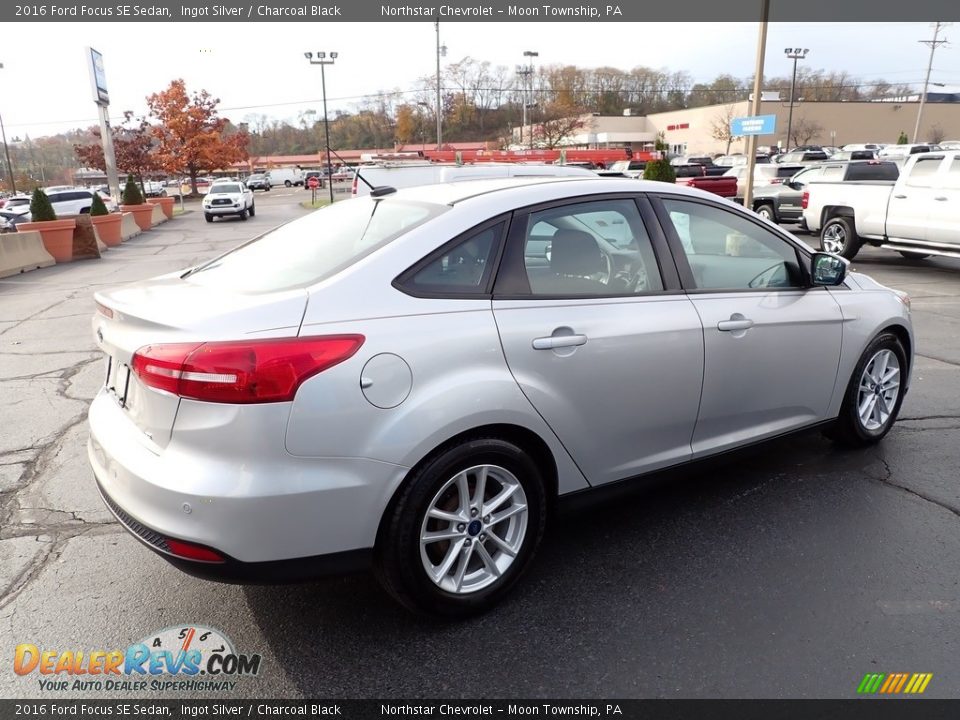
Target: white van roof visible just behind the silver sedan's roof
[(412, 174)]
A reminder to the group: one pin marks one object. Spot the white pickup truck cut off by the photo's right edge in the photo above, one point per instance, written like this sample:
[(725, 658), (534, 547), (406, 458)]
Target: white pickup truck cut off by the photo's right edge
[(917, 215)]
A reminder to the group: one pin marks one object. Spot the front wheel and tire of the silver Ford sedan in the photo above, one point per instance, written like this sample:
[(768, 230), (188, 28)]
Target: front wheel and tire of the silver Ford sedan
[(874, 394)]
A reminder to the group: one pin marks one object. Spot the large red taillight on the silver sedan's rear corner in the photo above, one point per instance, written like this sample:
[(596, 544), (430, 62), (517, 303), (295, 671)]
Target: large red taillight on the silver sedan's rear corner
[(242, 371)]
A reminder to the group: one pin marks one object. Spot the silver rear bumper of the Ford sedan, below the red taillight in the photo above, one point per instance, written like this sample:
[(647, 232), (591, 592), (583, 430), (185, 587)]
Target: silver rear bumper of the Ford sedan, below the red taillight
[(236, 490)]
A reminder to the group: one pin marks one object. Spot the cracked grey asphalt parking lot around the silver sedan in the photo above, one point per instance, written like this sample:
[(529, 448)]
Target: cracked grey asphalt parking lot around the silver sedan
[(790, 572)]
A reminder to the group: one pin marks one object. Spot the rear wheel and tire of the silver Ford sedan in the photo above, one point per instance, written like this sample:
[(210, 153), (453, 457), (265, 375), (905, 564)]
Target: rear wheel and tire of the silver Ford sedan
[(463, 528)]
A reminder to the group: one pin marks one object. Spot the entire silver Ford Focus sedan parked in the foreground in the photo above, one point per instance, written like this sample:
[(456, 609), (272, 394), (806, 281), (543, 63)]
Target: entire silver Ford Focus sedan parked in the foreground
[(410, 380)]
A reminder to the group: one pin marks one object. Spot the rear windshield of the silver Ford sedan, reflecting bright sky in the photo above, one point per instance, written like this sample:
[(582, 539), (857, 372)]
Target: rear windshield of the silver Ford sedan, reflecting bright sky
[(314, 248)]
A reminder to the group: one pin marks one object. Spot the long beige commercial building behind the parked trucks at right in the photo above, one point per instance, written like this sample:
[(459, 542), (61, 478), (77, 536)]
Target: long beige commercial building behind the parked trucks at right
[(693, 131)]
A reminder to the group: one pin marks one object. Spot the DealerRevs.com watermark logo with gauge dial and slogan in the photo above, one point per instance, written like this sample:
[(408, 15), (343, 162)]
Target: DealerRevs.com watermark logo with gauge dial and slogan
[(181, 657)]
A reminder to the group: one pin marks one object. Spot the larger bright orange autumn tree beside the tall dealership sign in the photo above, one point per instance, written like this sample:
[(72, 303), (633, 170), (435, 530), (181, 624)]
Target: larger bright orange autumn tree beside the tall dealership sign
[(191, 137)]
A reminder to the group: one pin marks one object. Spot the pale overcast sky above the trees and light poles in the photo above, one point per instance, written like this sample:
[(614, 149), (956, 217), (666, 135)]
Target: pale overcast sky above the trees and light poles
[(260, 69)]
